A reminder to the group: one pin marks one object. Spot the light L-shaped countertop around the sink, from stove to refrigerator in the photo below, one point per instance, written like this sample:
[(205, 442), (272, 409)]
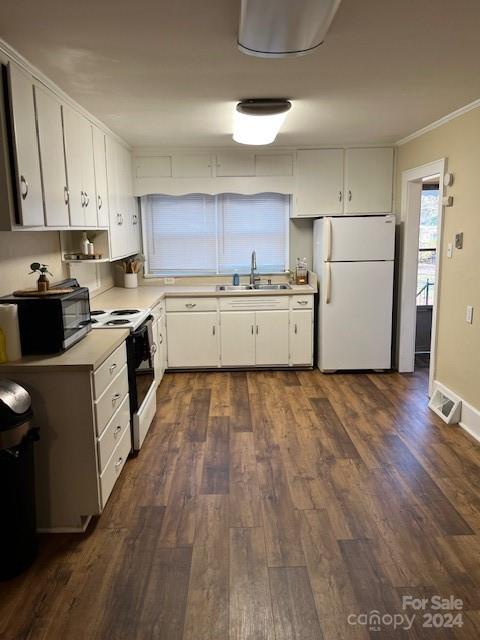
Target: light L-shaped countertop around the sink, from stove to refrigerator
[(147, 296)]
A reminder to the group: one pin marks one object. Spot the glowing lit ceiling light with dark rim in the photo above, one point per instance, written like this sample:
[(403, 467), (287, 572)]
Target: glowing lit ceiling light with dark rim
[(257, 121)]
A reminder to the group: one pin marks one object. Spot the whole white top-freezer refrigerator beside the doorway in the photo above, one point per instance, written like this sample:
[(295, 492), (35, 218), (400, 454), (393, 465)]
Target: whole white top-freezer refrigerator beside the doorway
[(354, 261)]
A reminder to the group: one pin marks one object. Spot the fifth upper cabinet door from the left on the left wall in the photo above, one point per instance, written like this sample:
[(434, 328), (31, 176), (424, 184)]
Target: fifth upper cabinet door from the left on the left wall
[(117, 219)]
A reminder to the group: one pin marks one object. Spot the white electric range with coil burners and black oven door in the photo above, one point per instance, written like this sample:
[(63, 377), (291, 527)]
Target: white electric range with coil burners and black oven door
[(141, 349)]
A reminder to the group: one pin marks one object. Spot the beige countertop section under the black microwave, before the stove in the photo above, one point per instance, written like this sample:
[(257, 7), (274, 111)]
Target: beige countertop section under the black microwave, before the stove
[(88, 354)]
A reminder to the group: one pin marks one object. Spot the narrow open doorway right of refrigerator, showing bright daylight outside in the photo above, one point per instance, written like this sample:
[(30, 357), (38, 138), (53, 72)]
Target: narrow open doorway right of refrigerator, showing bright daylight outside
[(426, 269)]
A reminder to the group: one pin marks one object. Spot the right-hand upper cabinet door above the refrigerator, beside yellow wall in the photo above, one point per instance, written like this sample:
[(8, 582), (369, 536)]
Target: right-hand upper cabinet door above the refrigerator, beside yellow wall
[(368, 180)]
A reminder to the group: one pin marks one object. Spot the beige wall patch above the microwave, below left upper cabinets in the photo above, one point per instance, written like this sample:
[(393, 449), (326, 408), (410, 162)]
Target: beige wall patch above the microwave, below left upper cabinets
[(19, 249)]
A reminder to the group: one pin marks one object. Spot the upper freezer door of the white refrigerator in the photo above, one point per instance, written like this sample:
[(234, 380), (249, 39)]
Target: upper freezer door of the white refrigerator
[(359, 238)]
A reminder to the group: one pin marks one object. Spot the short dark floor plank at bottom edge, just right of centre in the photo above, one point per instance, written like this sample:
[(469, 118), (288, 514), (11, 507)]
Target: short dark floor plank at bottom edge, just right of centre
[(294, 612)]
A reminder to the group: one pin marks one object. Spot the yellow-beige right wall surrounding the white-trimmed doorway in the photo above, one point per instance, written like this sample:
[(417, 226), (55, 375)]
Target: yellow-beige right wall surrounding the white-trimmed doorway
[(458, 351)]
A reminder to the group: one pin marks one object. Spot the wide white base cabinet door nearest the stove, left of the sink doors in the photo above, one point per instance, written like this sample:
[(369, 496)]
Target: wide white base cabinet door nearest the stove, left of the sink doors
[(192, 339)]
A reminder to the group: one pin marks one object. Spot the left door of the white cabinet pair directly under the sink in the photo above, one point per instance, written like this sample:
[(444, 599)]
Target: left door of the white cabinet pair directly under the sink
[(237, 338)]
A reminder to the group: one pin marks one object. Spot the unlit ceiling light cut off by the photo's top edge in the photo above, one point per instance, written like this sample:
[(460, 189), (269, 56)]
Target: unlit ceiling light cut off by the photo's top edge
[(284, 28)]
